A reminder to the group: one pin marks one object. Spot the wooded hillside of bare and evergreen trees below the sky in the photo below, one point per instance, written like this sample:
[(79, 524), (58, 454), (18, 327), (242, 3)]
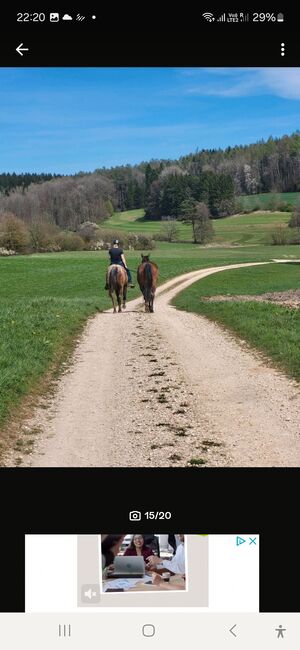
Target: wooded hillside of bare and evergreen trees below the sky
[(215, 177)]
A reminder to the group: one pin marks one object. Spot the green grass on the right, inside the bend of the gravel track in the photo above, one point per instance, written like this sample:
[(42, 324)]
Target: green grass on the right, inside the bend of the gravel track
[(273, 329)]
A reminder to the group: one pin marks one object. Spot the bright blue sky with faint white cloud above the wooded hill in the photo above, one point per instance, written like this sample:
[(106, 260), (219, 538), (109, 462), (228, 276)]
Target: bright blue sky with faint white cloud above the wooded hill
[(64, 120)]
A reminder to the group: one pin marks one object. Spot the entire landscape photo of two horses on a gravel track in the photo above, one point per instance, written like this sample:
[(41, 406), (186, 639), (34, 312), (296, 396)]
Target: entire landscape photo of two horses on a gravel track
[(188, 179)]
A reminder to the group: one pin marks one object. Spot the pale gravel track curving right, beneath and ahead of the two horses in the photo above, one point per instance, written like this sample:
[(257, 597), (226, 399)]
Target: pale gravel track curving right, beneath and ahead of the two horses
[(166, 389)]
